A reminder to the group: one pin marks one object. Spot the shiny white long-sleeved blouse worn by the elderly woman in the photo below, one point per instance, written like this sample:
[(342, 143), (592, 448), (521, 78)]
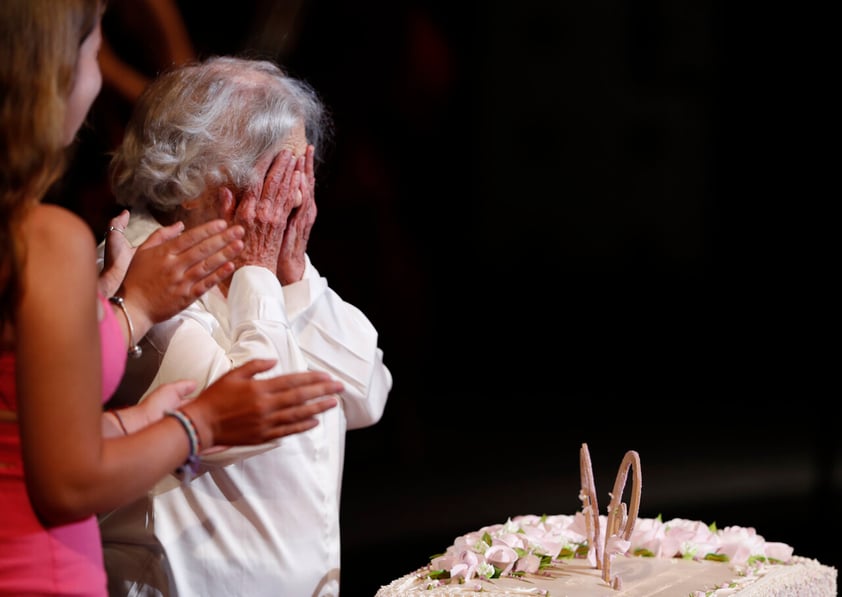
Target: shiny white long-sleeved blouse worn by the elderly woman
[(260, 520)]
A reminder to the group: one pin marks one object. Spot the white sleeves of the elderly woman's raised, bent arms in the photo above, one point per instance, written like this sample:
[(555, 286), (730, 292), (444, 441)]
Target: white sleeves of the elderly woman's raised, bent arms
[(305, 326)]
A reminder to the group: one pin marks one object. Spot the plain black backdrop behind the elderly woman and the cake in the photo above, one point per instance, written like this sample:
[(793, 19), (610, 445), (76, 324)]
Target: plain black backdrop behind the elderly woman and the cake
[(571, 223)]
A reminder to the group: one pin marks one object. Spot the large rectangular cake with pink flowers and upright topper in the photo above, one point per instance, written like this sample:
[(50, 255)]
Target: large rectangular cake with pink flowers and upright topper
[(588, 554)]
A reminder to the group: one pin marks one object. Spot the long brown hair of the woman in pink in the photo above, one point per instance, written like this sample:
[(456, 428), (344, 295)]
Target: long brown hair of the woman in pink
[(39, 49)]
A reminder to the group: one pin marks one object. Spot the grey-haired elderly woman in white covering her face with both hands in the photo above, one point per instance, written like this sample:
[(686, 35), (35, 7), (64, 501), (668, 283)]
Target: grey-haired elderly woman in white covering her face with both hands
[(194, 150)]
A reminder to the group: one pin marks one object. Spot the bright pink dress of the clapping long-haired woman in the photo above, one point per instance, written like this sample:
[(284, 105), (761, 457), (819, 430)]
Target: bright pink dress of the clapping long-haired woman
[(36, 560)]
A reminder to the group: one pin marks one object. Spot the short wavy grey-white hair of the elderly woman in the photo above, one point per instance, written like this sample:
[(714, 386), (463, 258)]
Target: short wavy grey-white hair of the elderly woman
[(206, 124)]
